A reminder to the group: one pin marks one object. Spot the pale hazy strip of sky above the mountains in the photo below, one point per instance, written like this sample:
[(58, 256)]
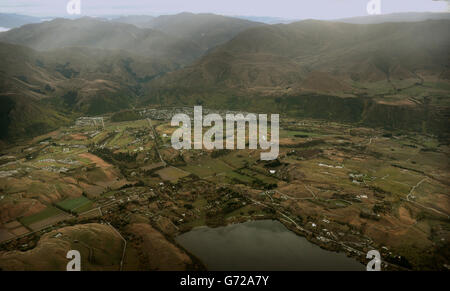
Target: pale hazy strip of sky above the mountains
[(295, 9)]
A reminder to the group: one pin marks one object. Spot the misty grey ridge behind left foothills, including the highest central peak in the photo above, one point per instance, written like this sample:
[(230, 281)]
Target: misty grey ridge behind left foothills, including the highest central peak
[(183, 37)]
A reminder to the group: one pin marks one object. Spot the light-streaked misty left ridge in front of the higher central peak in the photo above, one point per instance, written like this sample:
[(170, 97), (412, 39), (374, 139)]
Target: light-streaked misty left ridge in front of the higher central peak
[(102, 34)]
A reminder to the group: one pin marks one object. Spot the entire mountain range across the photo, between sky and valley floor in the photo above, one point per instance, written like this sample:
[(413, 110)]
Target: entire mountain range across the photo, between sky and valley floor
[(55, 70)]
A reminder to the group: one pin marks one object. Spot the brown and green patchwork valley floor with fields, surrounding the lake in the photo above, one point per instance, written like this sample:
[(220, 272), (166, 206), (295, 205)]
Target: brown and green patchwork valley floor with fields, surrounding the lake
[(119, 193)]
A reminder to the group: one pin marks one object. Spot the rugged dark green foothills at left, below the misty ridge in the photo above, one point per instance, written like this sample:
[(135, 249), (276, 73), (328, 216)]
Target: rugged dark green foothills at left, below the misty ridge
[(42, 89)]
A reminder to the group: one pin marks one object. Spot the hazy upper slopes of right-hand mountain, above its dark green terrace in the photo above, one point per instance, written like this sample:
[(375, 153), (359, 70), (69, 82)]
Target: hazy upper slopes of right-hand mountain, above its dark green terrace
[(298, 54)]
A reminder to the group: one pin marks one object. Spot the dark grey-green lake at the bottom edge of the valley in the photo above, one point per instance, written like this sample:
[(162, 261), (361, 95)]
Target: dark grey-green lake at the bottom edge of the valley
[(264, 245)]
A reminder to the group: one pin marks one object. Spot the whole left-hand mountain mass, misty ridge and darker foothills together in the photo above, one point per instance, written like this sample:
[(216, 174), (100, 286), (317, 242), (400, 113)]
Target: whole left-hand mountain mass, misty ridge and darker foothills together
[(91, 66)]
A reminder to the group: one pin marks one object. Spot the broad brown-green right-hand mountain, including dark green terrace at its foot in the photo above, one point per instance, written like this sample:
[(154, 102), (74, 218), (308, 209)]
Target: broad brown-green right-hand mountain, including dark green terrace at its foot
[(335, 71)]
